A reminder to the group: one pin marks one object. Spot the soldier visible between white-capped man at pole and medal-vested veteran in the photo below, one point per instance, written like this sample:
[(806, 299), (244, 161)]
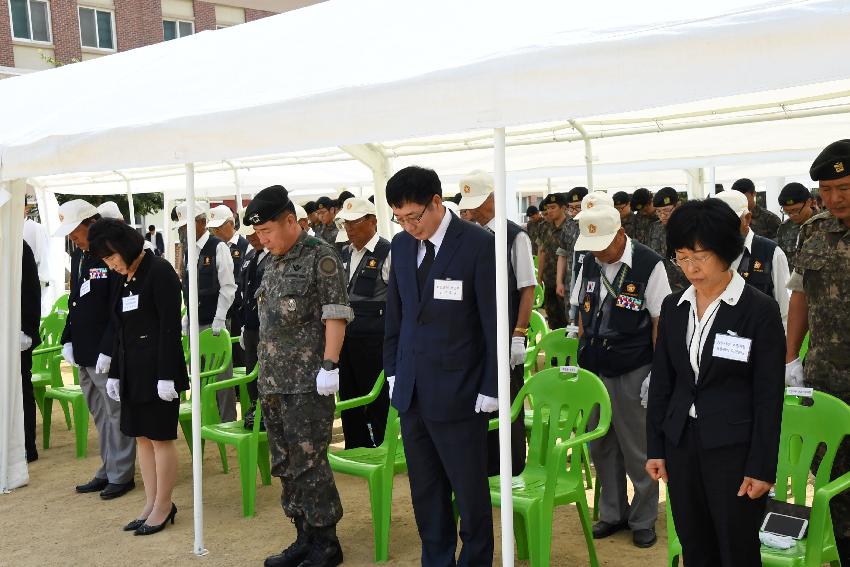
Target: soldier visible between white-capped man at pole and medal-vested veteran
[(547, 247)]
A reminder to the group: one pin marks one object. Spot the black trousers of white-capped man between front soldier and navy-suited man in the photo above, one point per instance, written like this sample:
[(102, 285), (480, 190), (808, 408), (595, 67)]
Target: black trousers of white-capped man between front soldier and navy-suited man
[(360, 362)]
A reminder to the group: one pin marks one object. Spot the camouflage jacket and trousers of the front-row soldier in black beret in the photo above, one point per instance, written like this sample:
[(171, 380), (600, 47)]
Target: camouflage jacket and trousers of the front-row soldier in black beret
[(299, 291)]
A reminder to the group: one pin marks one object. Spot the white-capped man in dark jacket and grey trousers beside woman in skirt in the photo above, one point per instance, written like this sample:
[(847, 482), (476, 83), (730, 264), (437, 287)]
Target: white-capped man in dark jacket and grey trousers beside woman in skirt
[(87, 342)]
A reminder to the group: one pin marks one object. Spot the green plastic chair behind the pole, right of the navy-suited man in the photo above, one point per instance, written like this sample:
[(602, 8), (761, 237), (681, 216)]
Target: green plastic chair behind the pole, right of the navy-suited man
[(553, 471)]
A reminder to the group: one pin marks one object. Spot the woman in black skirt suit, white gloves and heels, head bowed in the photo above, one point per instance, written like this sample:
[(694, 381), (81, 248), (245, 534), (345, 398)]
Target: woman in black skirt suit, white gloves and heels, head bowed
[(150, 369)]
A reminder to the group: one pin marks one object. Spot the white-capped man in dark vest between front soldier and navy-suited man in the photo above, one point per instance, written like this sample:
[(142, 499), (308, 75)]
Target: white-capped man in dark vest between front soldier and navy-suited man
[(367, 264)]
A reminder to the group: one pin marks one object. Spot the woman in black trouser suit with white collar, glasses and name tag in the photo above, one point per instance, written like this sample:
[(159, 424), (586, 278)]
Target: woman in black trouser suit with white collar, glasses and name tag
[(715, 398)]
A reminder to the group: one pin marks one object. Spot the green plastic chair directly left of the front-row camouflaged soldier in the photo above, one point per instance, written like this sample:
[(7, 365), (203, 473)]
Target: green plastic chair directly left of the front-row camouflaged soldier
[(252, 447)]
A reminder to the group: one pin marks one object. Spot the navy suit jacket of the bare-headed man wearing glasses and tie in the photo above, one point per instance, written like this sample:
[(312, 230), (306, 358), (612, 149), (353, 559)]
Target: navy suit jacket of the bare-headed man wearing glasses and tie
[(444, 350)]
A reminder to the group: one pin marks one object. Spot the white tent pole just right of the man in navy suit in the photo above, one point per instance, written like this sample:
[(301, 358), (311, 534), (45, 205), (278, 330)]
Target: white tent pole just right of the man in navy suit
[(503, 348)]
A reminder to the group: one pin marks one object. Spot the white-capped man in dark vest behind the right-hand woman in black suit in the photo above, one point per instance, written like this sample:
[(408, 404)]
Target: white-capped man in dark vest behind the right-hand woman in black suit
[(762, 264)]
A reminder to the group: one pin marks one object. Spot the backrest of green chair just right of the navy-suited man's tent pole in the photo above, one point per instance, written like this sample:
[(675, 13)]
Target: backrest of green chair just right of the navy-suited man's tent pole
[(563, 404)]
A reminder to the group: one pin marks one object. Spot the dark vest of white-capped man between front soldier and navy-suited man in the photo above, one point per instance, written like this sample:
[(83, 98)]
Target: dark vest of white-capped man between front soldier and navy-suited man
[(367, 291)]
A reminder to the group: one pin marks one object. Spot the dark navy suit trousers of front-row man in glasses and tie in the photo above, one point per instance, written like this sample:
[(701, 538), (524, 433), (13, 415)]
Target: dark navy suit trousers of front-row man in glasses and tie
[(445, 458)]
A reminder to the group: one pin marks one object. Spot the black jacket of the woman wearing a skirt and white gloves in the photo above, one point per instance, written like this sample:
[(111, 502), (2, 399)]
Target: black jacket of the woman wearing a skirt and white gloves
[(147, 346)]
